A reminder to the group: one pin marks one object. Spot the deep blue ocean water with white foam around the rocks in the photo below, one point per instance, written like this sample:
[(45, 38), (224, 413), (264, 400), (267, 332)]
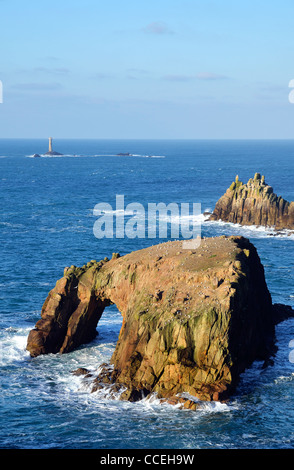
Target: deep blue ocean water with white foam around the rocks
[(47, 223)]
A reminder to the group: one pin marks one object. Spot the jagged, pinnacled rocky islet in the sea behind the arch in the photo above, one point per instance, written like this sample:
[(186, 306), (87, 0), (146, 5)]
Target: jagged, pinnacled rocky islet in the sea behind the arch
[(254, 203)]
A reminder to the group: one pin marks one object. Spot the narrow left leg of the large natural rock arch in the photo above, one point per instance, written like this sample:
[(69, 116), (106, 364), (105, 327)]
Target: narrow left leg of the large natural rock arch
[(70, 313)]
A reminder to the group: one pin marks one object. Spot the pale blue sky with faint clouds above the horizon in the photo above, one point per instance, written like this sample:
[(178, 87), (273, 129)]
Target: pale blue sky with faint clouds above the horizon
[(146, 69)]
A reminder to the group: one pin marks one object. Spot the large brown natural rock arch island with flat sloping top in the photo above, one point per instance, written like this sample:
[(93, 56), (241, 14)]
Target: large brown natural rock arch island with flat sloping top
[(193, 320)]
